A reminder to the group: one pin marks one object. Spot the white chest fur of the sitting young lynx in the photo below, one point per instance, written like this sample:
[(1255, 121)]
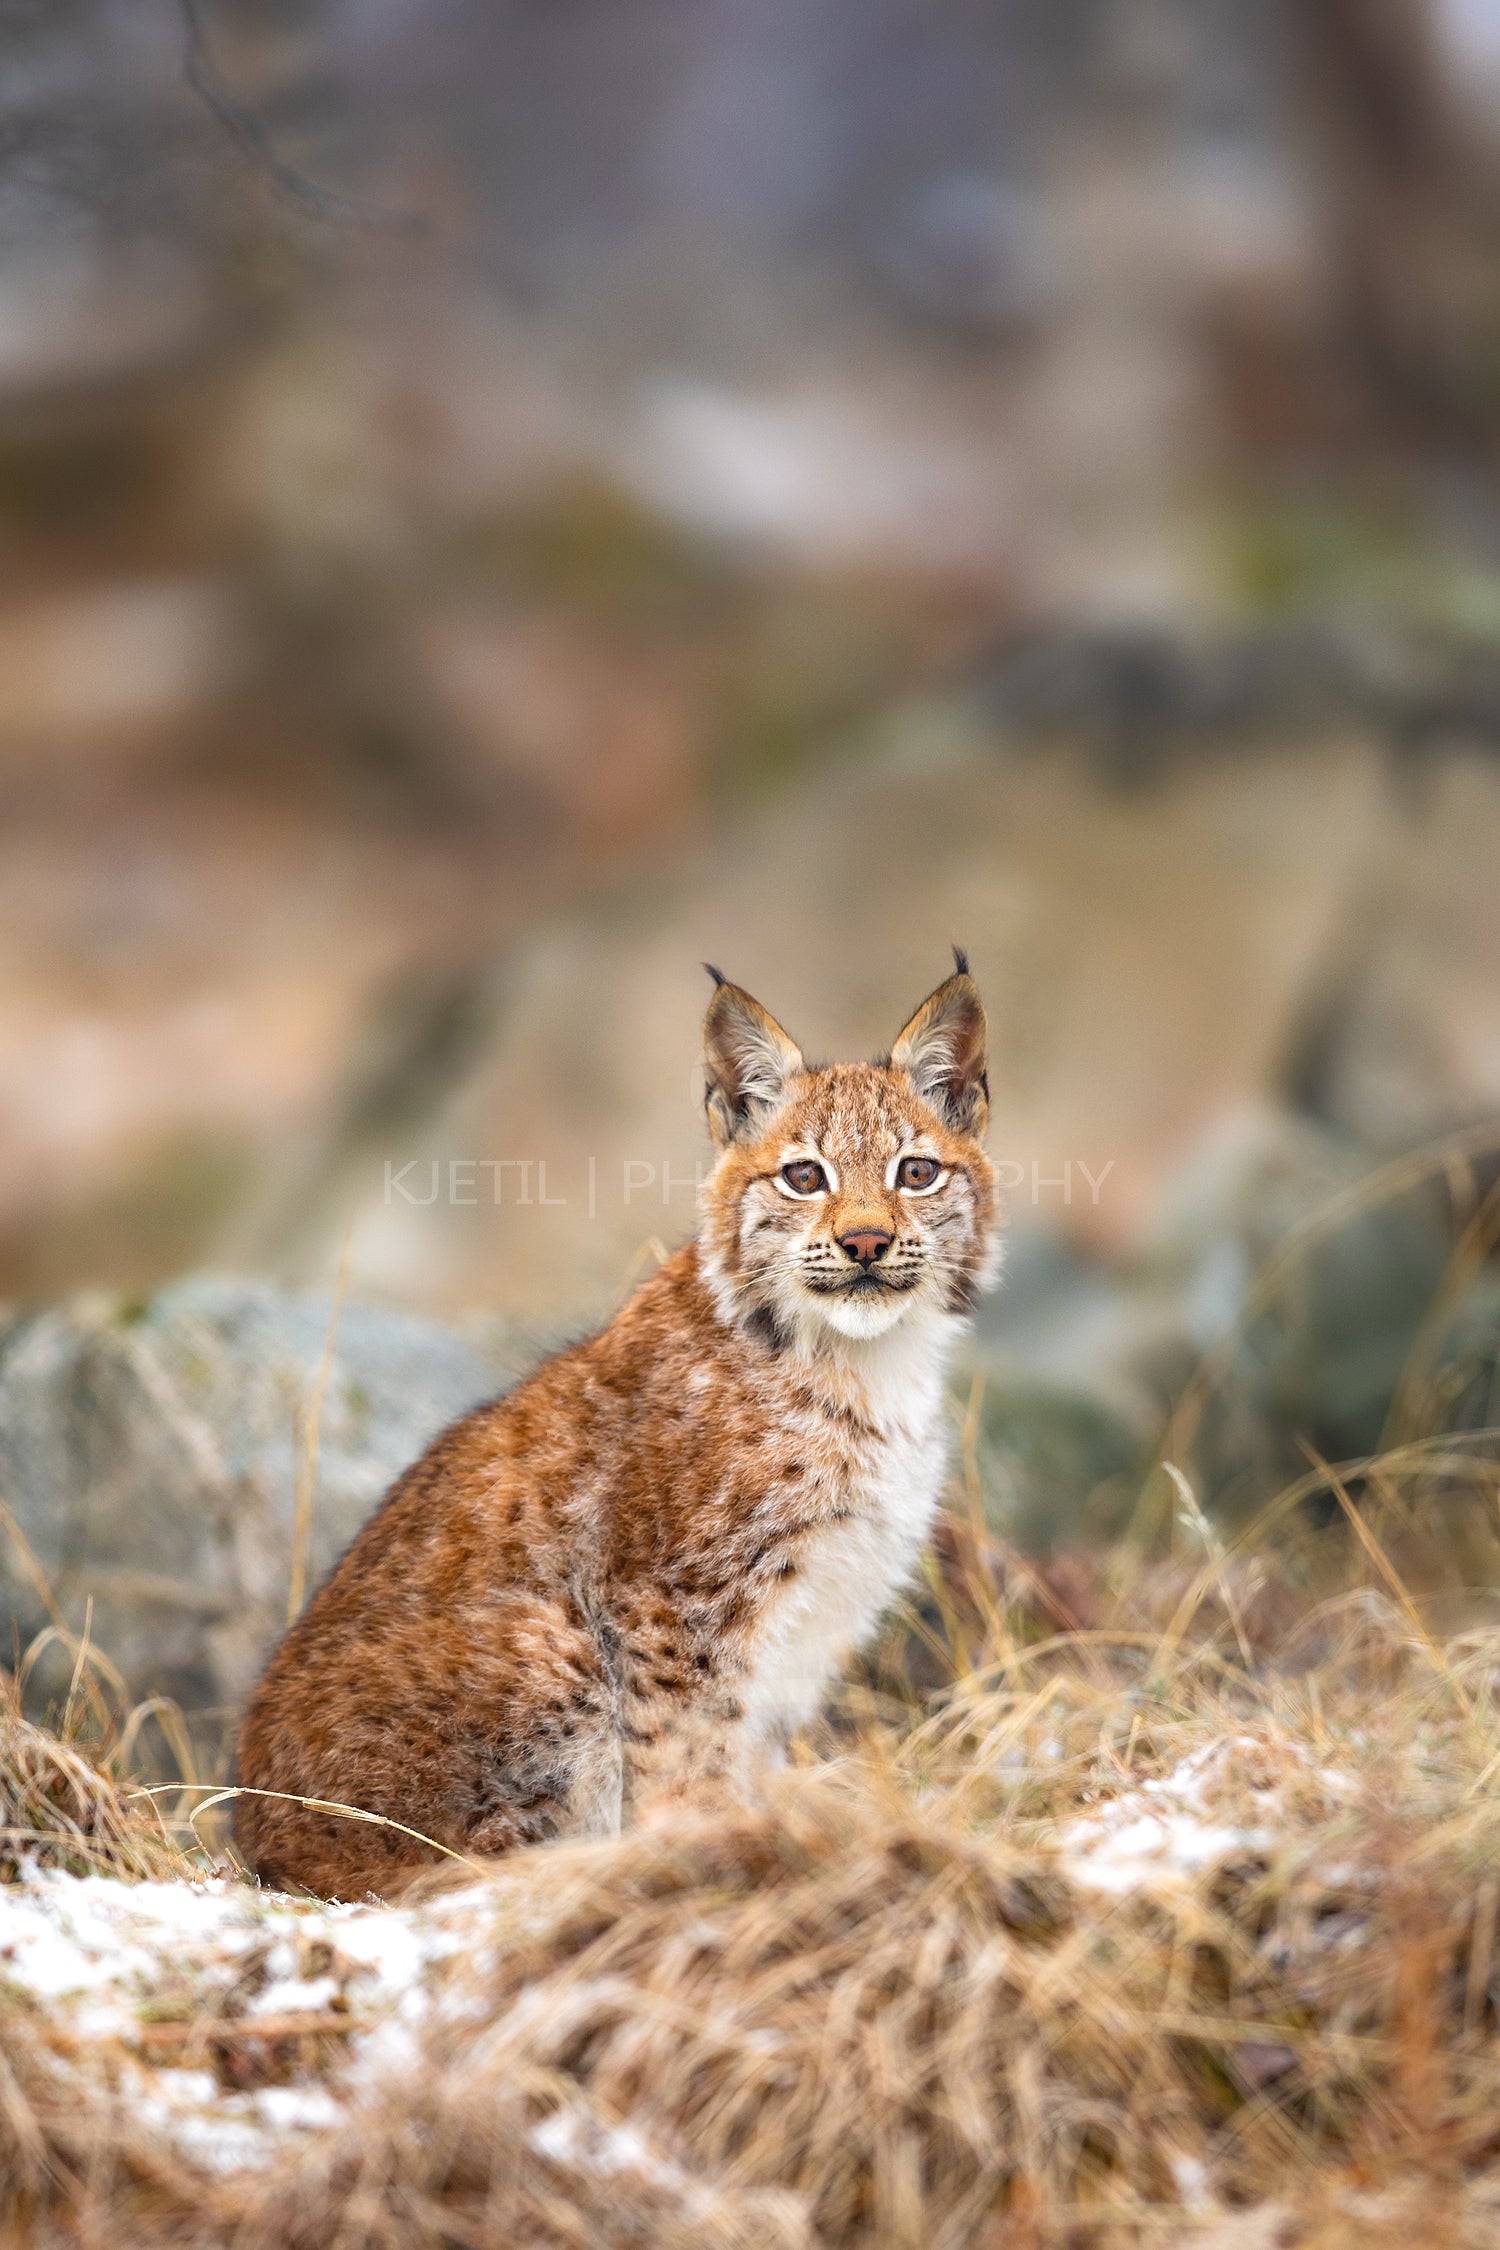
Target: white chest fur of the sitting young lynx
[(856, 1565)]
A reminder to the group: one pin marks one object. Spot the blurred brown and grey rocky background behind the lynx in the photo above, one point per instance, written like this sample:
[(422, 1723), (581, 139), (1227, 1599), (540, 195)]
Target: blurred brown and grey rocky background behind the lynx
[(505, 501)]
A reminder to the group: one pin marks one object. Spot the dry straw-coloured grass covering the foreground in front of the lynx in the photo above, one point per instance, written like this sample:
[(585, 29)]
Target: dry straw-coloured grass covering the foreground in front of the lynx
[(1128, 1941)]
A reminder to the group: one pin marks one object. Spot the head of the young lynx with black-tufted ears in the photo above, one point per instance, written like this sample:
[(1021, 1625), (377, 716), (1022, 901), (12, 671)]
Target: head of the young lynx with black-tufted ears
[(849, 1196)]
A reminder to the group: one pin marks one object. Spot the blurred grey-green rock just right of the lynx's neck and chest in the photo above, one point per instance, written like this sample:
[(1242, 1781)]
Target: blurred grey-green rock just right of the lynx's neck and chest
[(1290, 1297)]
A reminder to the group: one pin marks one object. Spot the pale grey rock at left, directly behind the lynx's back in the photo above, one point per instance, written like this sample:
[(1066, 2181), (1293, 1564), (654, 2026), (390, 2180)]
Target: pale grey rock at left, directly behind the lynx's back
[(152, 1457)]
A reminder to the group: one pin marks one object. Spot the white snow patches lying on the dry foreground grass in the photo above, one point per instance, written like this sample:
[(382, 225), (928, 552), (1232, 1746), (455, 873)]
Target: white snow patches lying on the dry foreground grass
[(237, 2022)]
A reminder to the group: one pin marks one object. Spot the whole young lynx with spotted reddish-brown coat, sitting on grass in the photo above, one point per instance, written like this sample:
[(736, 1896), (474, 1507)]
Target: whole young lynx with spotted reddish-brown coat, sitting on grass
[(638, 1572)]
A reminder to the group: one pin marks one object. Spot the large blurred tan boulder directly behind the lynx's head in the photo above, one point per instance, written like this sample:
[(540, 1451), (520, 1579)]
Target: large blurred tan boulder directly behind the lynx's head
[(1144, 957)]
